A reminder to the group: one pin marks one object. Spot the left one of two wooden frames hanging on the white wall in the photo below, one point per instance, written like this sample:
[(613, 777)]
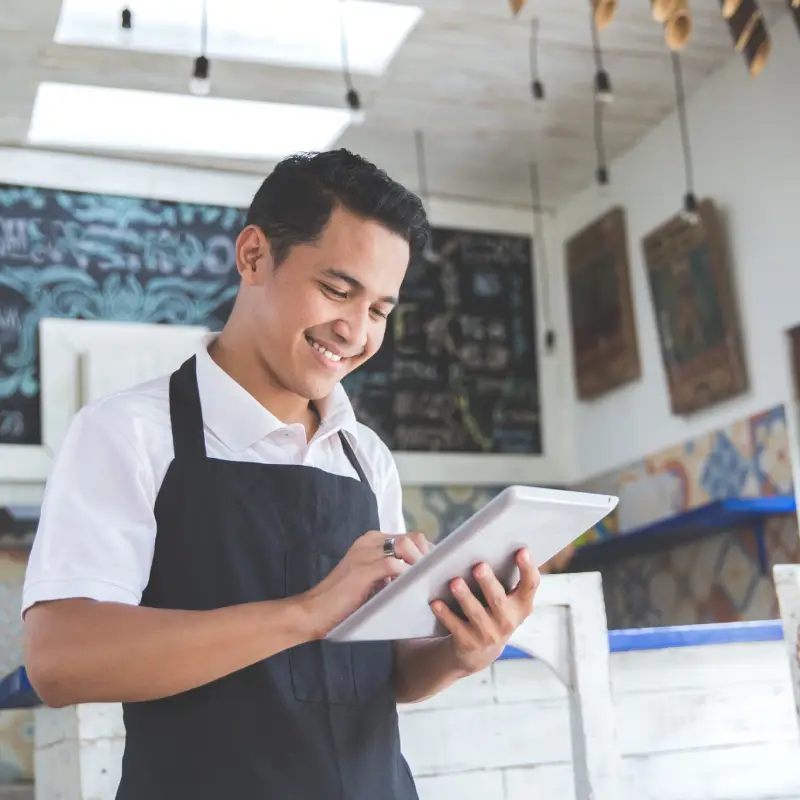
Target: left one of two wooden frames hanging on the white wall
[(604, 343)]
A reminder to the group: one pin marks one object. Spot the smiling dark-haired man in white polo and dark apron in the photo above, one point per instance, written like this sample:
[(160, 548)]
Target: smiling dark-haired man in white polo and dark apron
[(201, 533)]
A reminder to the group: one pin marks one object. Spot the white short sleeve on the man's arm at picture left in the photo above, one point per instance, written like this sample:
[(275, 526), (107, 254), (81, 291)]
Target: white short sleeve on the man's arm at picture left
[(97, 526)]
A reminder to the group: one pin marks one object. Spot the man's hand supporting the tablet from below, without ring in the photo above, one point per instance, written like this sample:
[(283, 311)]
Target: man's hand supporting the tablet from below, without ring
[(480, 640)]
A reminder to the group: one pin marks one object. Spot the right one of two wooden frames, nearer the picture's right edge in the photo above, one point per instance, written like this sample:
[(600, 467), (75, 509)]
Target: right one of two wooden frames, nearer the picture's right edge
[(695, 311)]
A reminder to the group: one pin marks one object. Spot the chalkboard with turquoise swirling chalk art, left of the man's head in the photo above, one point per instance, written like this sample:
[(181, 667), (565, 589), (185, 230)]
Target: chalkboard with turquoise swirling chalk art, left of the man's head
[(101, 257)]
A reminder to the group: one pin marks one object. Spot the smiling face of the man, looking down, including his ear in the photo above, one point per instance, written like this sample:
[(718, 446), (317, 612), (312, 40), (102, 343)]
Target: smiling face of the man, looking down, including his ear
[(323, 311)]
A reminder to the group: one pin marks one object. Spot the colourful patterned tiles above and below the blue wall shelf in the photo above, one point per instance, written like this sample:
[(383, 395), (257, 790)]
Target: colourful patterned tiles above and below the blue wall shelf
[(720, 578)]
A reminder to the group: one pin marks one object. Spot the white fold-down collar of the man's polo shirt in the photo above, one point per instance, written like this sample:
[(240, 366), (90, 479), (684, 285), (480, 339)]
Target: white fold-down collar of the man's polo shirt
[(239, 420)]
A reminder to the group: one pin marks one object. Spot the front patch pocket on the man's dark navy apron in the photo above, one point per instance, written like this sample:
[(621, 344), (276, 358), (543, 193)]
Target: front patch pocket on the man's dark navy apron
[(322, 672)]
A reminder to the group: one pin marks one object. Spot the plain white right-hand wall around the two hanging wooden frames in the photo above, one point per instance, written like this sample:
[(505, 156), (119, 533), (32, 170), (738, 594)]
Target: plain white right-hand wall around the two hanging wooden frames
[(744, 139)]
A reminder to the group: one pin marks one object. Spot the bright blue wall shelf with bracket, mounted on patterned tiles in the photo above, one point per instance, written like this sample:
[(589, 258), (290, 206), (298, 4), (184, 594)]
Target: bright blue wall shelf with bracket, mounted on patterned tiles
[(720, 515)]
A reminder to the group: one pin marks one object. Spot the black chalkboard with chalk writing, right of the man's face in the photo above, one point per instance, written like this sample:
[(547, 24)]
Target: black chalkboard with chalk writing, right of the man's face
[(458, 368)]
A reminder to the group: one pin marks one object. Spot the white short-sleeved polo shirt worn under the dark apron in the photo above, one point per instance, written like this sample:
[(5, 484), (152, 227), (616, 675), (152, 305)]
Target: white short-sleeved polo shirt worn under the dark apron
[(97, 528)]
